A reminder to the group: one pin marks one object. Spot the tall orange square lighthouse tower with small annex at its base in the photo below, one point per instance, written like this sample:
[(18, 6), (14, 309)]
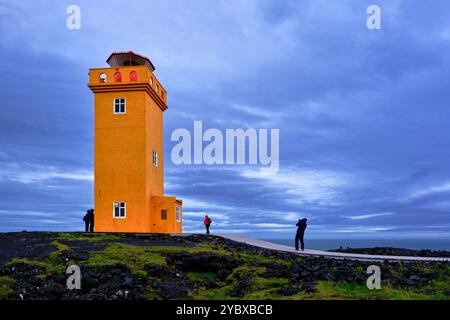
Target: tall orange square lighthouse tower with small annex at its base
[(129, 103)]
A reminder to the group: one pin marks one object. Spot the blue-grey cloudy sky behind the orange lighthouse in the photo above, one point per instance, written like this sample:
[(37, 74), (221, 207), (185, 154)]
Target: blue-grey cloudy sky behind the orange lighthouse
[(363, 114)]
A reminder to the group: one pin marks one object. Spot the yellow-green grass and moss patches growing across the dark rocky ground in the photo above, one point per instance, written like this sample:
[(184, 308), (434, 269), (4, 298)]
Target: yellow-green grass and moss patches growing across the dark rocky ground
[(251, 266)]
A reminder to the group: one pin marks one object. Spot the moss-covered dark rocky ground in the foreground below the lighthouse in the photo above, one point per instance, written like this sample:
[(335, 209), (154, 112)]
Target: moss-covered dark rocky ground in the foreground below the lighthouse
[(120, 266)]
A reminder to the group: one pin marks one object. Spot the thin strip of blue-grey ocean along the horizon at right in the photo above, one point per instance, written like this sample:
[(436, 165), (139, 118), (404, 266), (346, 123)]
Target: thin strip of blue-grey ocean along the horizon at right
[(358, 243)]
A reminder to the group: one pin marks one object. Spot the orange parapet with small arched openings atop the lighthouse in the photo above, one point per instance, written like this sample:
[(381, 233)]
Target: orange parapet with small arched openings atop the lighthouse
[(127, 74)]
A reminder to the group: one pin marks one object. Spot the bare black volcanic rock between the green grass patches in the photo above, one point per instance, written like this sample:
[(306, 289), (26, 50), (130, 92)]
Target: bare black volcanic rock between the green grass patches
[(172, 281)]
